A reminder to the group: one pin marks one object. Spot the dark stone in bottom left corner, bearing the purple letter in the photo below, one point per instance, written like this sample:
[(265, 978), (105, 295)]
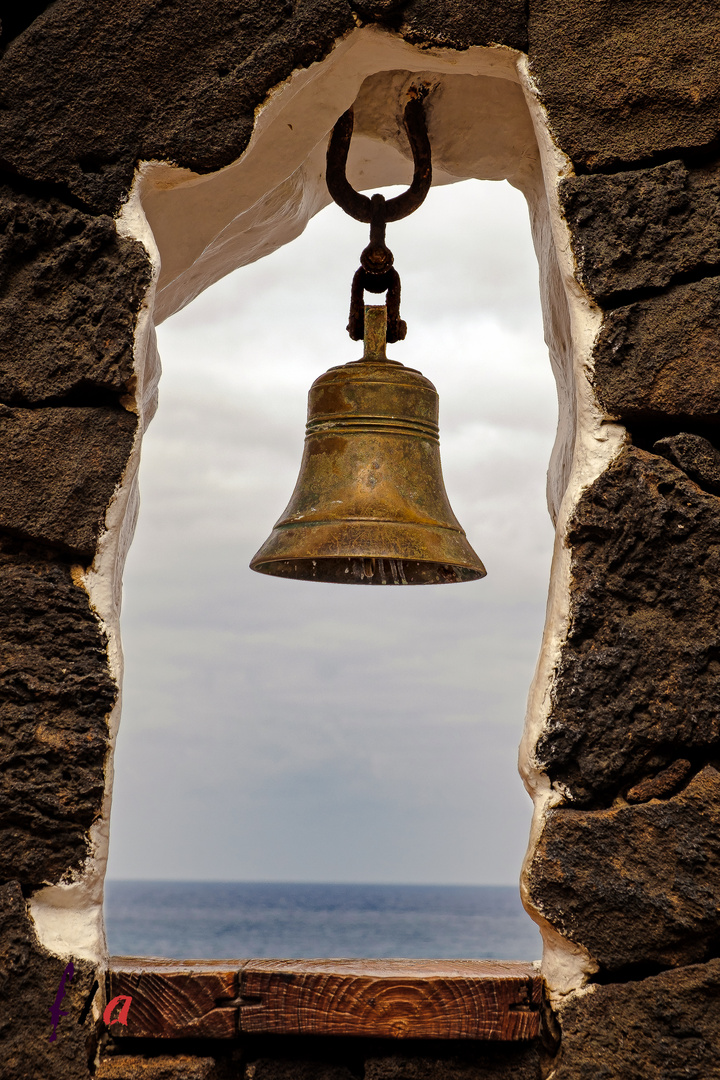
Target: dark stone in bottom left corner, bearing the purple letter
[(30, 981)]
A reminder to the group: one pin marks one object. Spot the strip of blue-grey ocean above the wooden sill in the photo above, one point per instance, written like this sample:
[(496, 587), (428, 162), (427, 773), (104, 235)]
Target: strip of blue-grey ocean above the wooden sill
[(238, 920)]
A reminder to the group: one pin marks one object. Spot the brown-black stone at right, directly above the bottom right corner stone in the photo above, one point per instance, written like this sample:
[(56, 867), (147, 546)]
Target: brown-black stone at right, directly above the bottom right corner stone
[(635, 884)]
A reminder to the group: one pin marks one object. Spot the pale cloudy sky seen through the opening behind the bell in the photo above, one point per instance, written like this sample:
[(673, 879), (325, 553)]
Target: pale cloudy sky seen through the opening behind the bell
[(276, 731)]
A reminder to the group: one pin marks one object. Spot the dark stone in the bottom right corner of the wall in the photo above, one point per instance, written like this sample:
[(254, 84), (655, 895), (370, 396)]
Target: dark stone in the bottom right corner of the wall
[(667, 1028)]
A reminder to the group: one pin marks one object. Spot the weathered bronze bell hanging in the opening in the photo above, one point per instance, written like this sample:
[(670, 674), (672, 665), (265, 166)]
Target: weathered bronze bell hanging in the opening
[(370, 506)]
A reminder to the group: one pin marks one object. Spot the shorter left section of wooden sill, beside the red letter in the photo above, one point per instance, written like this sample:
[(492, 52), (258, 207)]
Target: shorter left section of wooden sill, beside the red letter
[(174, 1000)]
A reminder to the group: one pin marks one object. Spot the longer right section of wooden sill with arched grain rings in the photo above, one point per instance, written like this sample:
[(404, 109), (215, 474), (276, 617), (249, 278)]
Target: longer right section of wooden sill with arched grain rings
[(401, 1000)]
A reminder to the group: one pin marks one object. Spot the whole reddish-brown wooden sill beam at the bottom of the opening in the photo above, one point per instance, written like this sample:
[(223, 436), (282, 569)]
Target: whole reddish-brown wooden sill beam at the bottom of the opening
[(400, 1000)]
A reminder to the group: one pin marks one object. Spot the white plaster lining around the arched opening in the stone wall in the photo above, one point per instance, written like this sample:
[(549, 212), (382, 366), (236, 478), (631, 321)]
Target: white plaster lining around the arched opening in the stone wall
[(485, 123)]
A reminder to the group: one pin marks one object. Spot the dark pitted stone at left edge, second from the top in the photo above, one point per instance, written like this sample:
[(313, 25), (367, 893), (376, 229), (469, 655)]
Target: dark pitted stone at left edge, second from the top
[(71, 290)]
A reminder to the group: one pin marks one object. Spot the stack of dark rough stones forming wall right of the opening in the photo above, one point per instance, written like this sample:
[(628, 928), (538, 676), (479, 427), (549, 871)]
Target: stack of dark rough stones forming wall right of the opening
[(627, 865)]
